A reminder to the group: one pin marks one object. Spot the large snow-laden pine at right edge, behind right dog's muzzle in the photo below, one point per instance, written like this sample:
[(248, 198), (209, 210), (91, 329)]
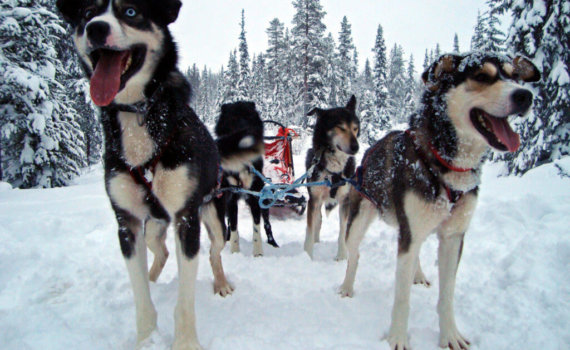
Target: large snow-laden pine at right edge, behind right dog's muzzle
[(540, 30)]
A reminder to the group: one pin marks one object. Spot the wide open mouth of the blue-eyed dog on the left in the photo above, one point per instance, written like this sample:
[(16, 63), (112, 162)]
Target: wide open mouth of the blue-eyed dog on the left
[(112, 69)]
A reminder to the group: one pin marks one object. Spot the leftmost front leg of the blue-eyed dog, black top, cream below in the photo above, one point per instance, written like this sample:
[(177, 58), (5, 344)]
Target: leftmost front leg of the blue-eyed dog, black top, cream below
[(133, 247)]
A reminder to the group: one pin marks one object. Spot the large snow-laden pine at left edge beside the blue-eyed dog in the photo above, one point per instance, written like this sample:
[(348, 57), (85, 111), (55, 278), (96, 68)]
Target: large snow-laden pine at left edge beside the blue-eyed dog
[(41, 144)]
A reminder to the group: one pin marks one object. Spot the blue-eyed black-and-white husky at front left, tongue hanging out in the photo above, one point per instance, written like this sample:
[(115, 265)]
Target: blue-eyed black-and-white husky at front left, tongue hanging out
[(160, 161)]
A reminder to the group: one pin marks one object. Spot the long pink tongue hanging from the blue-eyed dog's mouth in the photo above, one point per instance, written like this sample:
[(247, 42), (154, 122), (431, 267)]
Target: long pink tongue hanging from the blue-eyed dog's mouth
[(106, 80)]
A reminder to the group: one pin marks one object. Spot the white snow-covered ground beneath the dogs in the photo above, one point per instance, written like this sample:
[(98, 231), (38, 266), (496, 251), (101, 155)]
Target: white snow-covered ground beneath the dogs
[(64, 285)]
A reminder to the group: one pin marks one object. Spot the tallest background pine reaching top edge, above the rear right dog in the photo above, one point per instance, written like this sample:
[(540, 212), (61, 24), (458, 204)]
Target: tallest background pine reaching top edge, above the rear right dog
[(308, 36)]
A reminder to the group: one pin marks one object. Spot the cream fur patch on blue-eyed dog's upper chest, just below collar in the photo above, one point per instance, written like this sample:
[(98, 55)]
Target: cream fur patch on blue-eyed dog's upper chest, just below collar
[(138, 146)]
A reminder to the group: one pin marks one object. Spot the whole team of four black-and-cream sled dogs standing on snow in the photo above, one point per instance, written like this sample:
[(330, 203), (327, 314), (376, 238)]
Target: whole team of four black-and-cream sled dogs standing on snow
[(160, 162)]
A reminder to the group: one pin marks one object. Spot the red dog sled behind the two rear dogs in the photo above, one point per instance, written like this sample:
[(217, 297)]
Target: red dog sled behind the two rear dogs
[(279, 166)]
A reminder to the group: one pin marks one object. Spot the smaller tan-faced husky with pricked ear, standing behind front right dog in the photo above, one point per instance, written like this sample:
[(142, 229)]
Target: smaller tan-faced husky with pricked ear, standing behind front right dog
[(332, 156)]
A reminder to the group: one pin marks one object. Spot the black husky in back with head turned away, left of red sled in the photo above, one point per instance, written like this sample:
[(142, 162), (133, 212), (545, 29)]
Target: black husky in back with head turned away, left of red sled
[(239, 123)]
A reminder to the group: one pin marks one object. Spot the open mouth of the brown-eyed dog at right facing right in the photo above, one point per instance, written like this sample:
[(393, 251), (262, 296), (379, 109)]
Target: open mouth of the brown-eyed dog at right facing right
[(496, 130)]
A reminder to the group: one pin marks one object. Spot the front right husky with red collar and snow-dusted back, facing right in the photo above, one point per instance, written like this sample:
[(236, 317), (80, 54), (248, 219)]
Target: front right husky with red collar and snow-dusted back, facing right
[(426, 179)]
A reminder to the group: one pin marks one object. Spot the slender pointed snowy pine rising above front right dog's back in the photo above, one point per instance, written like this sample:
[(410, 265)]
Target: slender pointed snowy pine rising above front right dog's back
[(381, 119)]
